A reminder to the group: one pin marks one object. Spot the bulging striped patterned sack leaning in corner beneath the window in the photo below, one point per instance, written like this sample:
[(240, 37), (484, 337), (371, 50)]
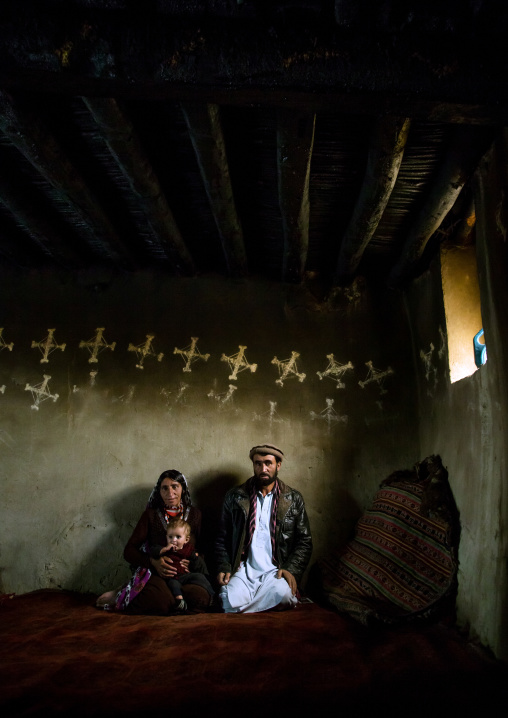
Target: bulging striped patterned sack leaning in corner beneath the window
[(402, 562)]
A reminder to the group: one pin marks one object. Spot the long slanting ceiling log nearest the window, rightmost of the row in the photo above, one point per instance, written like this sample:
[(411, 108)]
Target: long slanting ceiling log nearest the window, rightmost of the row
[(466, 148)]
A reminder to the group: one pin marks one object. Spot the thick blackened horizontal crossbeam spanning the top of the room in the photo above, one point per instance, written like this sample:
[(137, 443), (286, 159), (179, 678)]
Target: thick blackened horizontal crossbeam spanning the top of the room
[(409, 66)]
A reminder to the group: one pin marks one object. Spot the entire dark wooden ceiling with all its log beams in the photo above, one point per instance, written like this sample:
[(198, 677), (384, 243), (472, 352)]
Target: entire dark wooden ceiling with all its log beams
[(290, 140)]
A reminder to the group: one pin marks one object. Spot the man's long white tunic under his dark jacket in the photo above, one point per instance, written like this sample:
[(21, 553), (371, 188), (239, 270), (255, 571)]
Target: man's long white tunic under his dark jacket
[(255, 586)]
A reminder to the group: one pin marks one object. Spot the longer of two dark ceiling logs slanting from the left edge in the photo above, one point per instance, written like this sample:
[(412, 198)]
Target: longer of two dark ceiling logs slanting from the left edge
[(39, 147)]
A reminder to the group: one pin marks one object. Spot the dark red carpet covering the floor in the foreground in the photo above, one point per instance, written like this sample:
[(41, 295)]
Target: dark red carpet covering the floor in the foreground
[(60, 655)]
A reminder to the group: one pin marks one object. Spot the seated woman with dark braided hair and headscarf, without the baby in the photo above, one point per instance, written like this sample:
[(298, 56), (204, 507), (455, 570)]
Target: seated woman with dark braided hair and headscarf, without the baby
[(147, 591)]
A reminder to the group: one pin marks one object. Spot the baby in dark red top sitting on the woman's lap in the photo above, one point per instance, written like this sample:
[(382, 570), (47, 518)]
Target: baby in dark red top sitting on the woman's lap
[(178, 547)]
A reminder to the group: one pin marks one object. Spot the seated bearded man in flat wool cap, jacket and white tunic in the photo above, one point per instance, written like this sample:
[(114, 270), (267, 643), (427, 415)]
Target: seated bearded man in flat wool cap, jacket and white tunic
[(264, 542)]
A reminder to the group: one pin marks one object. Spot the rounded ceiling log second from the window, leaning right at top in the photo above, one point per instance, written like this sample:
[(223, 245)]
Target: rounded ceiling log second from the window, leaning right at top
[(387, 144)]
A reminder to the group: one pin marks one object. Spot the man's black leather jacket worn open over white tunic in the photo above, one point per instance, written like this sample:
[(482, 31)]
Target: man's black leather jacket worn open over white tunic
[(293, 540)]
